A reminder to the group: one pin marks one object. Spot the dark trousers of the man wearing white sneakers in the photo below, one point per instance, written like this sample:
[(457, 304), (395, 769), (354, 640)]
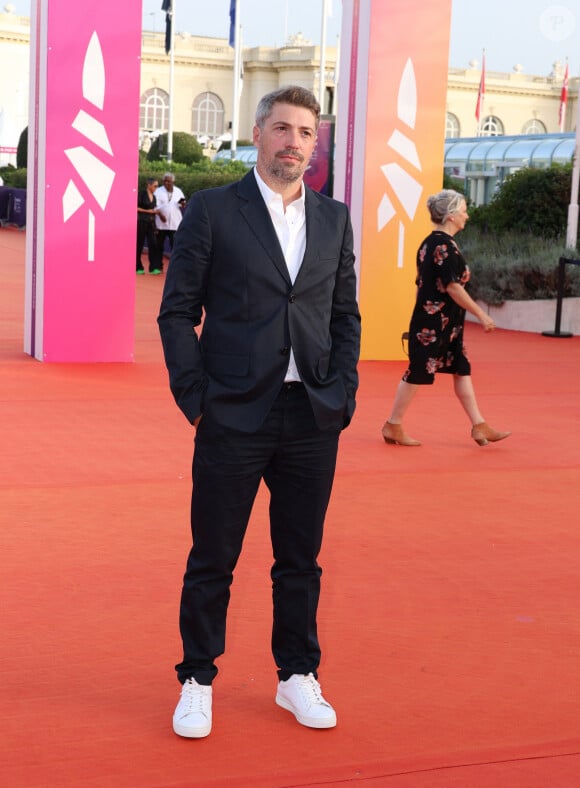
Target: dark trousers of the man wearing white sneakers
[(297, 462)]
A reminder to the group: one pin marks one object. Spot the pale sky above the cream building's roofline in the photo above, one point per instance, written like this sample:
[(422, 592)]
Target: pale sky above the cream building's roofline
[(530, 33)]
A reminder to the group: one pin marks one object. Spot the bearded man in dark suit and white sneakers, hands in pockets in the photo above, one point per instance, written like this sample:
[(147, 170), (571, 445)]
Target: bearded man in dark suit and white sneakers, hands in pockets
[(269, 385)]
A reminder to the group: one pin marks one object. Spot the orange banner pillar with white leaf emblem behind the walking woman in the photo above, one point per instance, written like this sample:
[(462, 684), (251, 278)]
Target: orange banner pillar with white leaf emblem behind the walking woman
[(402, 48)]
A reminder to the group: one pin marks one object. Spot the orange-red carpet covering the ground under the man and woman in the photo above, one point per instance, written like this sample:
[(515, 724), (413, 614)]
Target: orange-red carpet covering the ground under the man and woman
[(450, 615)]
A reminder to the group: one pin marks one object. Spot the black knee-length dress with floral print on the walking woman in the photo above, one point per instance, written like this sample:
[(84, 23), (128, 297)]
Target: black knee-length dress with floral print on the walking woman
[(436, 330)]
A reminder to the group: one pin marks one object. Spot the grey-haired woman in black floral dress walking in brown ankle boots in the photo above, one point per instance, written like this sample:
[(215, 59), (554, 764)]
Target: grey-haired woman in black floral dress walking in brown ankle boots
[(436, 330)]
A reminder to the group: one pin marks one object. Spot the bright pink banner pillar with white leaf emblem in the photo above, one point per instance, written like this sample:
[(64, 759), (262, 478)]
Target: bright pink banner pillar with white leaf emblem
[(81, 260)]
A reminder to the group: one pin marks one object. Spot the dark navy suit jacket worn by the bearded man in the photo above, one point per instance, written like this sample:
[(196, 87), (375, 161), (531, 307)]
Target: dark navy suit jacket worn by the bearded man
[(228, 269)]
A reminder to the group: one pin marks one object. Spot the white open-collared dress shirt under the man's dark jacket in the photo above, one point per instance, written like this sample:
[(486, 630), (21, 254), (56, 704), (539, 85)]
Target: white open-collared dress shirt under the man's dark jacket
[(290, 226)]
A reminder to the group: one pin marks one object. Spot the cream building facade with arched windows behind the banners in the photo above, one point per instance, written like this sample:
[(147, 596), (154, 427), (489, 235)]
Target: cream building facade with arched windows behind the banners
[(203, 89)]
